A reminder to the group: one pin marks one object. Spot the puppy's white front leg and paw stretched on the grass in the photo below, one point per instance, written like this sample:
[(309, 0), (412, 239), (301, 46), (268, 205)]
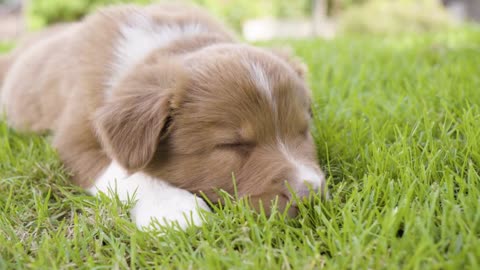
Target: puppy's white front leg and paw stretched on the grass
[(155, 198)]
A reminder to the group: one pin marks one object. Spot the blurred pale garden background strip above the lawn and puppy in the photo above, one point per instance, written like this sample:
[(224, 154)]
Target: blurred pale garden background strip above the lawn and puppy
[(270, 19)]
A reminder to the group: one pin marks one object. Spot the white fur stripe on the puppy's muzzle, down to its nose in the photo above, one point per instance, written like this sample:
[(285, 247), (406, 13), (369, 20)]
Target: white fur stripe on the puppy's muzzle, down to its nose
[(304, 173)]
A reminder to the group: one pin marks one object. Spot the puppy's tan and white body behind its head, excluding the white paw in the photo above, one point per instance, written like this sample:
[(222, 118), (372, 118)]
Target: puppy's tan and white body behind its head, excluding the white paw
[(57, 84)]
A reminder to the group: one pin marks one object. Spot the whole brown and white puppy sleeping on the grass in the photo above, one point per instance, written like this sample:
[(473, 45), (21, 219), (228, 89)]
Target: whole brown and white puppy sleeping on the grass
[(162, 102)]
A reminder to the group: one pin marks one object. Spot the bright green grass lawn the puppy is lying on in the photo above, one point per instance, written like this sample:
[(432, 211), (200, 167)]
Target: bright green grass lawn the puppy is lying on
[(397, 124)]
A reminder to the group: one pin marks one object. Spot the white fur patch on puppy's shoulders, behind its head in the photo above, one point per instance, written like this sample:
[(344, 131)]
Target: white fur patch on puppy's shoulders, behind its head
[(139, 37)]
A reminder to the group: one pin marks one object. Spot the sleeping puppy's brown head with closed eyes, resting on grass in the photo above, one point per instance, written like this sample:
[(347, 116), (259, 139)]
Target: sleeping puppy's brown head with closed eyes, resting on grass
[(224, 111)]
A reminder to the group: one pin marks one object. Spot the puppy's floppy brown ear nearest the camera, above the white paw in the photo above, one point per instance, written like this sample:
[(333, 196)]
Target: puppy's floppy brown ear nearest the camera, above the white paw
[(136, 116)]
